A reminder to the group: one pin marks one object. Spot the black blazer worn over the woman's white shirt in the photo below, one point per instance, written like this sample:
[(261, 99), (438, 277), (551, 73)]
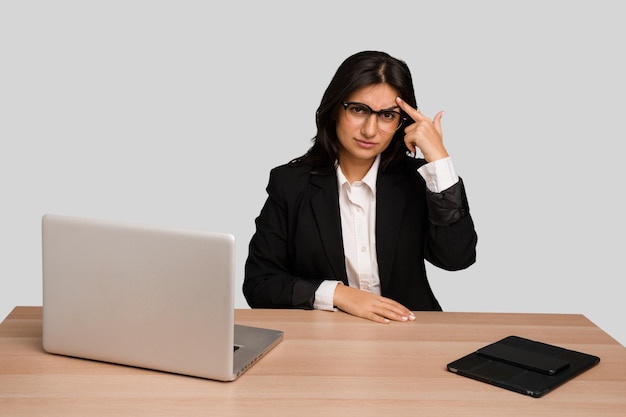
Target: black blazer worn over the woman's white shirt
[(298, 241)]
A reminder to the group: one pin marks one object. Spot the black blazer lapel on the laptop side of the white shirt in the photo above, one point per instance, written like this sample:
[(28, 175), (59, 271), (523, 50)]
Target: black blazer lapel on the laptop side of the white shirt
[(325, 206)]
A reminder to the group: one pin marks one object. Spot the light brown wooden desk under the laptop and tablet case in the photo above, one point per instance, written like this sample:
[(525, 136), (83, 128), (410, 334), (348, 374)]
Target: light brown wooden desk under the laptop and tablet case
[(329, 364)]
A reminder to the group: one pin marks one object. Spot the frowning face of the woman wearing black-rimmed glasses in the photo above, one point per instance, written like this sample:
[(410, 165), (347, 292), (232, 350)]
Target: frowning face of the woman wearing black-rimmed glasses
[(362, 138)]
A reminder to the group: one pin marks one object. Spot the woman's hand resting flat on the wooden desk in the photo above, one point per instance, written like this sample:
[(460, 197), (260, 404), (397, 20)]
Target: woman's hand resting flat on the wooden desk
[(370, 306)]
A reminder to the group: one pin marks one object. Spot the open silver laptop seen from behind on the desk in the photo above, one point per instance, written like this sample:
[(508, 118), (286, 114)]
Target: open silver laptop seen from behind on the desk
[(150, 297)]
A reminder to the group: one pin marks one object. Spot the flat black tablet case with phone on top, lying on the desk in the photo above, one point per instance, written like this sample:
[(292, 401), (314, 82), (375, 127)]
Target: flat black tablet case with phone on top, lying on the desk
[(522, 365)]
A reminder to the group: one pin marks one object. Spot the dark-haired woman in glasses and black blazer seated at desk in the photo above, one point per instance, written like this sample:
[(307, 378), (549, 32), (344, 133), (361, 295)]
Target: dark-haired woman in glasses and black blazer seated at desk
[(349, 224)]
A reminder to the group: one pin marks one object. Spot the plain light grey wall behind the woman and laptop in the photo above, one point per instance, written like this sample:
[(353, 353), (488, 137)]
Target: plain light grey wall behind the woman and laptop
[(173, 112)]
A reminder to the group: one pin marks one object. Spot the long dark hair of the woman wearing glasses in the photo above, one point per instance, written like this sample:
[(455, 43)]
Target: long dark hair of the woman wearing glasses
[(357, 71)]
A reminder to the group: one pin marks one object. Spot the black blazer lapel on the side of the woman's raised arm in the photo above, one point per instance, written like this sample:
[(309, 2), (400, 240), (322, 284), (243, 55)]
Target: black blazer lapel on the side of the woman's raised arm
[(390, 202)]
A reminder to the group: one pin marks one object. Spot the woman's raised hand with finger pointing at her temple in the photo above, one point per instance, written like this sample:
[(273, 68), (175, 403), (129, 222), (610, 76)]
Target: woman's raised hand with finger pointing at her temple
[(424, 134)]
